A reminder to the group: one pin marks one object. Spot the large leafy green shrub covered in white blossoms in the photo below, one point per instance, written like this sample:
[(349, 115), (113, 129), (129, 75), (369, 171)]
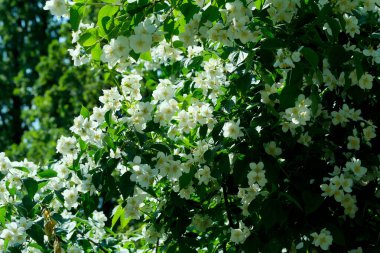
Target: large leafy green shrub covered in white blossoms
[(232, 126)]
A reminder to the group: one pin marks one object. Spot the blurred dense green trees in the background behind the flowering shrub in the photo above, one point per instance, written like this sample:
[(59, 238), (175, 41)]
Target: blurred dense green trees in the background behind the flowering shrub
[(41, 90)]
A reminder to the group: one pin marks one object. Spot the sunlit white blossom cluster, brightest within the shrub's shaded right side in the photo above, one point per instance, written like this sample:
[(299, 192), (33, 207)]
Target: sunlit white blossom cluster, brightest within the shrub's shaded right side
[(298, 115)]
